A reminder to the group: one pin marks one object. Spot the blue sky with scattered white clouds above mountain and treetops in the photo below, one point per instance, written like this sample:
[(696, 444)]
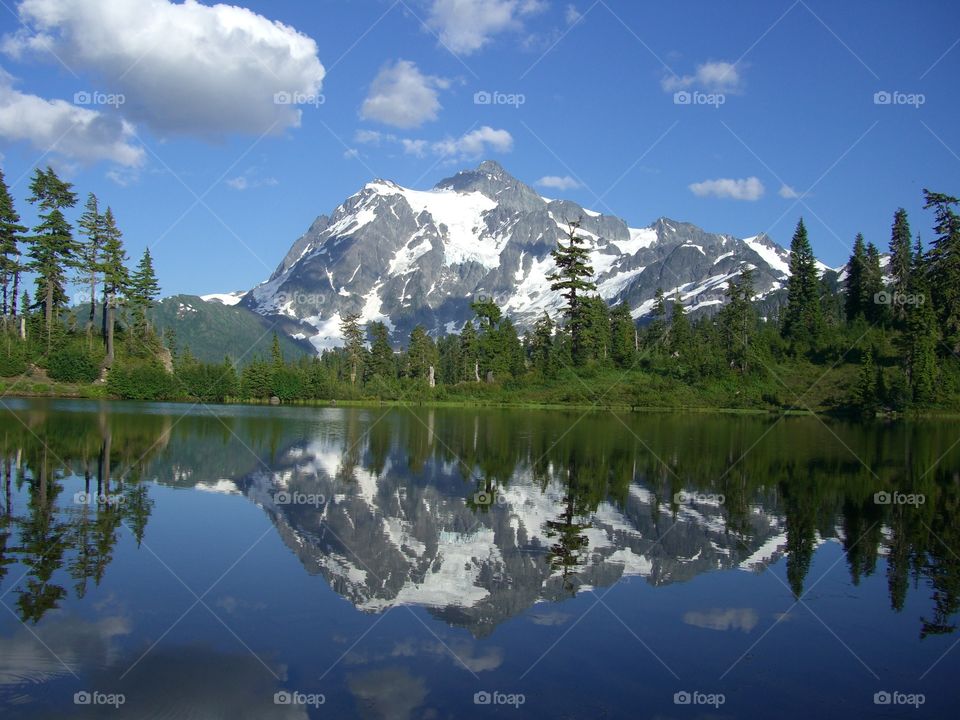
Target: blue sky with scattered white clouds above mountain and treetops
[(218, 133)]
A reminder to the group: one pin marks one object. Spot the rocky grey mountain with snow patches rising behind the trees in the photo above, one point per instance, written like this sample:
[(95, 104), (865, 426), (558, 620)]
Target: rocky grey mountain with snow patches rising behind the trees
[(406, 257)]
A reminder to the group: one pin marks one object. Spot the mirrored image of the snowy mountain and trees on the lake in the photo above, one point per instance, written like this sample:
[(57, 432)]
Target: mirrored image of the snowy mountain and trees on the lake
[(479, 515)]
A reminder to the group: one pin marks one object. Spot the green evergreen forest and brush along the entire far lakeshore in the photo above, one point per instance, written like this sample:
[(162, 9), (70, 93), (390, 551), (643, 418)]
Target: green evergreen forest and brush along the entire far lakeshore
[(886, 340)]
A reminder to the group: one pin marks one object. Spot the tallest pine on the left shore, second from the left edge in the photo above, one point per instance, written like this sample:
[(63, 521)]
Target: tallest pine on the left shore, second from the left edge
[(52, 247)]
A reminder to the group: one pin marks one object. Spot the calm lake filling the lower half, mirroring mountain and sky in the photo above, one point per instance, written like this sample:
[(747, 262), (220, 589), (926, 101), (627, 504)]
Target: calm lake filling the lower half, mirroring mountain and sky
[(163, 561)]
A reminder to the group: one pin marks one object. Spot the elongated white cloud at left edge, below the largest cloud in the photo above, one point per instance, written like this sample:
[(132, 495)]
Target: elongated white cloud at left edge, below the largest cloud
[(62, 128)]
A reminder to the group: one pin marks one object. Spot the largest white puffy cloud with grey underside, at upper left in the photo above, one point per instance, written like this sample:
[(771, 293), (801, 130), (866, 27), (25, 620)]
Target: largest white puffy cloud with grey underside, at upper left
[(184, 68)]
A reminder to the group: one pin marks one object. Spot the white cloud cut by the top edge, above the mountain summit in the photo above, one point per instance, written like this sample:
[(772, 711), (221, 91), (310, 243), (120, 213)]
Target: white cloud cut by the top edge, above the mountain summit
[(465, 26)]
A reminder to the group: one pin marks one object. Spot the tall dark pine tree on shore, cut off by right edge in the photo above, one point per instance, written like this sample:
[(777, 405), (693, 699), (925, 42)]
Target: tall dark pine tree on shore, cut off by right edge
[(944, 266)]
